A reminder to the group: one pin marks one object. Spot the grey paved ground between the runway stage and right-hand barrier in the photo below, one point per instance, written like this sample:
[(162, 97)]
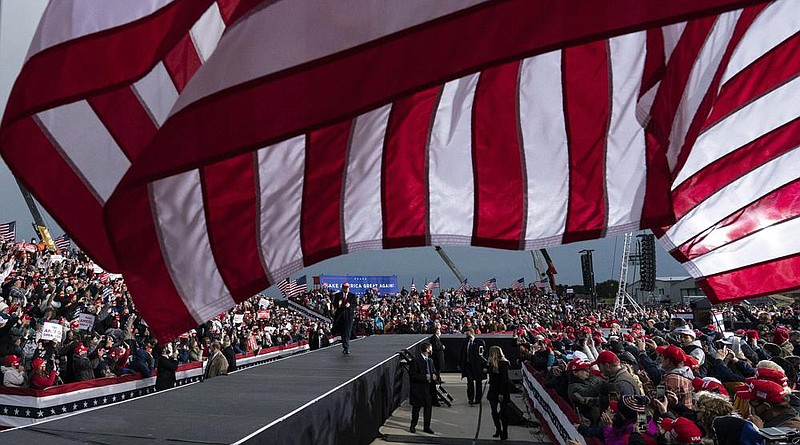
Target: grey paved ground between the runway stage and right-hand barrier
[(455, 425)]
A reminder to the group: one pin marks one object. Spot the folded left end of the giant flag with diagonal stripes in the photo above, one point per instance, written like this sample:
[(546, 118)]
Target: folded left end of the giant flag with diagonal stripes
[(120, 67)]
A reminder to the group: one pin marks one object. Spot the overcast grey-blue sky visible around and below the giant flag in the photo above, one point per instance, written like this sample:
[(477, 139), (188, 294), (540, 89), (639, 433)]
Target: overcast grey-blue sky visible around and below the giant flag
[(18, 20)]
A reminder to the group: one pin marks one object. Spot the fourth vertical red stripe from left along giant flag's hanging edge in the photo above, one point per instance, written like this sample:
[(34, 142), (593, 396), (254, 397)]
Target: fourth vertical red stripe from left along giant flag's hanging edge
[(403, 180)]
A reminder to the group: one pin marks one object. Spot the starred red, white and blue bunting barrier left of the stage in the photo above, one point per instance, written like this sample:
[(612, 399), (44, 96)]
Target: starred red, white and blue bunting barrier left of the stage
[(25, 406)]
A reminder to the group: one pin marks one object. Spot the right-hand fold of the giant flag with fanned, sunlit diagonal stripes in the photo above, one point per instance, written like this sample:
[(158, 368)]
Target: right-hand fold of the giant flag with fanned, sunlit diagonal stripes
[(735, 188)]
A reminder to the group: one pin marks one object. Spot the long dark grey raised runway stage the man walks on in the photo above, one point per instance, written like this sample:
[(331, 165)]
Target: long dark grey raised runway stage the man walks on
[(320, 397)]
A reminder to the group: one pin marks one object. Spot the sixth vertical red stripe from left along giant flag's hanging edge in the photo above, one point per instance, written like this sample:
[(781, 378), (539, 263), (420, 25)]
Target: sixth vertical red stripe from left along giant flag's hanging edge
[(586, 75)]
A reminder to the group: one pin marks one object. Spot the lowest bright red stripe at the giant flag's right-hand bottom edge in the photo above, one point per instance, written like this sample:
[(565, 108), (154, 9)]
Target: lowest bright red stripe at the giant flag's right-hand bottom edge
[(760, 279)]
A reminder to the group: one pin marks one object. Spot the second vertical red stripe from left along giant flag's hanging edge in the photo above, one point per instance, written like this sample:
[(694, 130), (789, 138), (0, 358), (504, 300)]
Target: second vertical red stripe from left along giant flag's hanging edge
[(230, 203)]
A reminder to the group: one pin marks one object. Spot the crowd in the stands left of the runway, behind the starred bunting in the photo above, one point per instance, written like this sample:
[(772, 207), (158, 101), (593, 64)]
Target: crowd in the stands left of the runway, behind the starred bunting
[(98, 332)]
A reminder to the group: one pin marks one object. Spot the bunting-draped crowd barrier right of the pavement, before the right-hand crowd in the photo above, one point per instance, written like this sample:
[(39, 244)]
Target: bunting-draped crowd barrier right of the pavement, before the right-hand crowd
[(554, 413)]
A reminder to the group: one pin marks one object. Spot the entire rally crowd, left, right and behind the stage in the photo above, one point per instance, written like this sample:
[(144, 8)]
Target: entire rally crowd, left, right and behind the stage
[(639, 376)]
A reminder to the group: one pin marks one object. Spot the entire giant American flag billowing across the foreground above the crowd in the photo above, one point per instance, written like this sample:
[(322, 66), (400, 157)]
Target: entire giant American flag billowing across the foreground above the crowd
[(675, 116)]
